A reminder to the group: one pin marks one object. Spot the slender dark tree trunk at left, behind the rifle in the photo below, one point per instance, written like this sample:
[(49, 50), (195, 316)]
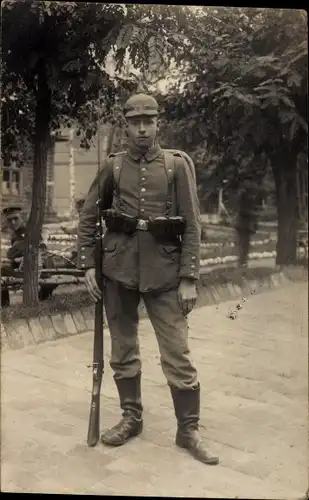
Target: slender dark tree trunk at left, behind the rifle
[(35, 222)]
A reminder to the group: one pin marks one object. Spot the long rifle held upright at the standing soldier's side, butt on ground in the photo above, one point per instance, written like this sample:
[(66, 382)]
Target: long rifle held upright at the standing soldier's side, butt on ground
[(98, 343)]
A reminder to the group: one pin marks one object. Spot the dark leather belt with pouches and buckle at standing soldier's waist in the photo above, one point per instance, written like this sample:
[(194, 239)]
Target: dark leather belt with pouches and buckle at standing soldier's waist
[(159, 227)]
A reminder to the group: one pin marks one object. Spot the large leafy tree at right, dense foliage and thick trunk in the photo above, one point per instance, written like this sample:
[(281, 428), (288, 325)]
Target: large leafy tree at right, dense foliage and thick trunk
[(245, 103)]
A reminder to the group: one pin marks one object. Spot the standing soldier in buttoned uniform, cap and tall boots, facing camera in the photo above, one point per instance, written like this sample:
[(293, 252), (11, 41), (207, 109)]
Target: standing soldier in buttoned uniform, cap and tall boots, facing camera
[(151, 251)]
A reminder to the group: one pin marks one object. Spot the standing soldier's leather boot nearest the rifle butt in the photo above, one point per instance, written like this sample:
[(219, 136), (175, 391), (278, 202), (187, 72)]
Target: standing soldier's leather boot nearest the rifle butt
[(131, 424)]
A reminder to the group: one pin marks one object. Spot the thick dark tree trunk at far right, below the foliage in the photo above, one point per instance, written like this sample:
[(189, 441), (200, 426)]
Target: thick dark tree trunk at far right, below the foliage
[(286, 194)]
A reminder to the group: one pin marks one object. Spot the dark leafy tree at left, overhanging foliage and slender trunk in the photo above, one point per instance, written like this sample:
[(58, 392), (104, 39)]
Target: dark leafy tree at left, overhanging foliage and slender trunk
[(54, 73)]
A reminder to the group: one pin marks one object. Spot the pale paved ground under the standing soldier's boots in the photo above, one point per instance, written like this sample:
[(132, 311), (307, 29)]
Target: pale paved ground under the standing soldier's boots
[(254, 378)]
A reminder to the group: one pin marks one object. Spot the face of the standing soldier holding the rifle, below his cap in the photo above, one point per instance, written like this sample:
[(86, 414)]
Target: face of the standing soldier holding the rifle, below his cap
[(142, 130)]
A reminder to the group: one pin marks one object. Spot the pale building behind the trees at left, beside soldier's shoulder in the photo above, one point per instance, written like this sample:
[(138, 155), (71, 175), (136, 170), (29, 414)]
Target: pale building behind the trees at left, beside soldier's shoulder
[(70, 171)]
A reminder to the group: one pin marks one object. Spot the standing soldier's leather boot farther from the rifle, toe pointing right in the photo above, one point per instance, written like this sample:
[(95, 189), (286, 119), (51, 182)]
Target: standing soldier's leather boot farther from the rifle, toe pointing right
[(187, 411)]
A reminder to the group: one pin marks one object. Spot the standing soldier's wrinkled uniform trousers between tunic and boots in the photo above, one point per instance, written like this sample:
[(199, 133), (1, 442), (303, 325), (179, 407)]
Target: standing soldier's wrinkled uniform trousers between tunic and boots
[(170, 327)]
